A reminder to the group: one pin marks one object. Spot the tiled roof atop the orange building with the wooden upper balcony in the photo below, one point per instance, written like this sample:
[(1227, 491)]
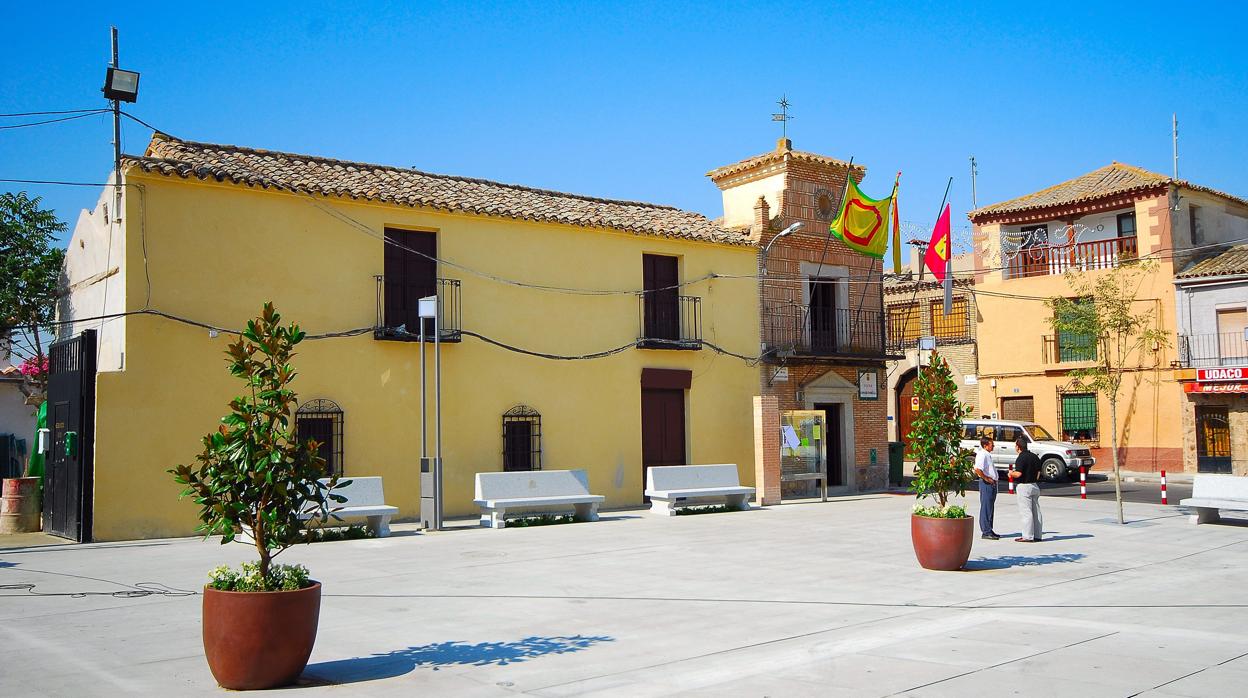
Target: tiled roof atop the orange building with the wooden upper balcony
[(1114, 179)]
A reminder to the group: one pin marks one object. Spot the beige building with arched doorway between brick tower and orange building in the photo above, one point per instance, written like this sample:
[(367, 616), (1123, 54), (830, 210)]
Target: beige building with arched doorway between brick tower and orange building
[(914, 308)]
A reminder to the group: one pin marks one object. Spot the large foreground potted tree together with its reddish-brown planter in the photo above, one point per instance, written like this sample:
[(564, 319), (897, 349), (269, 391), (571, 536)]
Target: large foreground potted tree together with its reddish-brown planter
[(255, 484)]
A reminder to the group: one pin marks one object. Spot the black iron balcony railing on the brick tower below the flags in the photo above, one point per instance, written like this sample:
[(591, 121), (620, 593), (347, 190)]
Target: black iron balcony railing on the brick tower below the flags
[(813, 332)]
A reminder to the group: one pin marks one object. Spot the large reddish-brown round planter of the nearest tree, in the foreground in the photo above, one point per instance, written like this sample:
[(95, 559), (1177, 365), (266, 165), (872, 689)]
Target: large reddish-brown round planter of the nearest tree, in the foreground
[(260, 640)]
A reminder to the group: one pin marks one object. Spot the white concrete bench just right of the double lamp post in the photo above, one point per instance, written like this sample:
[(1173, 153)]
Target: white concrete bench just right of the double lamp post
[(500, 493)]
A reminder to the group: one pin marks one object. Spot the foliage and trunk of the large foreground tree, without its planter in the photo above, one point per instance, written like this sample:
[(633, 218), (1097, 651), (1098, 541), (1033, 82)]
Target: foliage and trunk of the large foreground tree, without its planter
[(254, 479)]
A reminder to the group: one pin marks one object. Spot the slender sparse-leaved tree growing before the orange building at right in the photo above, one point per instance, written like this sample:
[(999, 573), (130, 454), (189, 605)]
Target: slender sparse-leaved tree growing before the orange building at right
[(1106, 315)]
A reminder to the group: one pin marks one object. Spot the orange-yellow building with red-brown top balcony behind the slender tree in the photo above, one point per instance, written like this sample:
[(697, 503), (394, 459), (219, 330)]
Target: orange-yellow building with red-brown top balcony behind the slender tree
[(1088, 225)]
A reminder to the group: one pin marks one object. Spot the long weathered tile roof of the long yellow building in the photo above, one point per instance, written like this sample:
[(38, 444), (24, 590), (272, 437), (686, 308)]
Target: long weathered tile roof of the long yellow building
[(325, 177)]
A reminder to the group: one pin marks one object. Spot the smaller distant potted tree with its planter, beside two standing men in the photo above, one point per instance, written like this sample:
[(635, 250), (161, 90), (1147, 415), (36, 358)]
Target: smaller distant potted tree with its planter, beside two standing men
[(942, 534)]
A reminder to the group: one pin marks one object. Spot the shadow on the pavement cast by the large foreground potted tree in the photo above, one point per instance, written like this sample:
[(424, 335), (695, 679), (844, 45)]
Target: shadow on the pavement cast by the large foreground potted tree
[(445, 655)]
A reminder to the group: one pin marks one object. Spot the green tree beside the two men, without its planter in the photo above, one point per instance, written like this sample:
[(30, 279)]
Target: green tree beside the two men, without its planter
[(943, 468)]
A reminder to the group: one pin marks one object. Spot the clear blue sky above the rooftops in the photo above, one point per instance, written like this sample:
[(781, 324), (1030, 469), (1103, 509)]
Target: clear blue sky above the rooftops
[(641, 101)]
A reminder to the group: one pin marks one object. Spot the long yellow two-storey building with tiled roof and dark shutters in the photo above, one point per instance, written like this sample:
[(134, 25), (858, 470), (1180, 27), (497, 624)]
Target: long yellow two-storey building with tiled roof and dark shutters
[(552, 356)]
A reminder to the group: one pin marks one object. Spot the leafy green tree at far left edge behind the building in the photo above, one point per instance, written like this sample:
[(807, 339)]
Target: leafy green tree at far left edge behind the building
[(31, 273)]
